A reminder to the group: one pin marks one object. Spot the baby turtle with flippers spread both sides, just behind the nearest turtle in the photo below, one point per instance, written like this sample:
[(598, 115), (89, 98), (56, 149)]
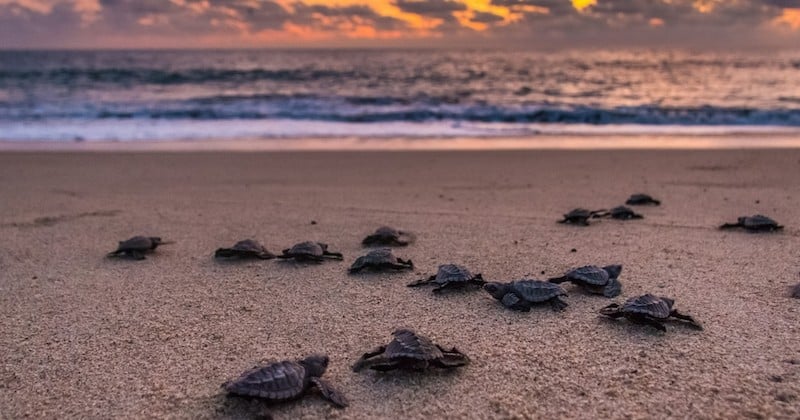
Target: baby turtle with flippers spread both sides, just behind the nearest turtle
[(410, 351)]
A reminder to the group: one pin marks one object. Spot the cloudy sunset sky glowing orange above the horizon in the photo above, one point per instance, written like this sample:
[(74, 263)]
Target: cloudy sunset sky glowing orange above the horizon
[(535, 24)]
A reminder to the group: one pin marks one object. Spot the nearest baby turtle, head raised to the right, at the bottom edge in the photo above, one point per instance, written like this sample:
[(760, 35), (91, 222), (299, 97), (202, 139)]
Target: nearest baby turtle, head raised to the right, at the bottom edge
[(286, 380)]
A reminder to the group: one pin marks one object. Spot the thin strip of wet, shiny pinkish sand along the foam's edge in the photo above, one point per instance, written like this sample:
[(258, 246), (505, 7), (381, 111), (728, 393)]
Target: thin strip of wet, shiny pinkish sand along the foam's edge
[(540, 142)]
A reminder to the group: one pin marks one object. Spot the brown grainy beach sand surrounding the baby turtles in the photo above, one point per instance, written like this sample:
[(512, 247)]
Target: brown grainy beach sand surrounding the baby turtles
[(85, 336)]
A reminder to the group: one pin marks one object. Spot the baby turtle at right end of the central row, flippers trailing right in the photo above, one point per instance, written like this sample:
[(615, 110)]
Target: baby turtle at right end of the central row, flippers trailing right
[(649, 310)]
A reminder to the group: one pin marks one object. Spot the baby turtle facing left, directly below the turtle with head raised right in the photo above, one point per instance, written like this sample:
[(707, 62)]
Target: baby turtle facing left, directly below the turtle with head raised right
[(521, 295)]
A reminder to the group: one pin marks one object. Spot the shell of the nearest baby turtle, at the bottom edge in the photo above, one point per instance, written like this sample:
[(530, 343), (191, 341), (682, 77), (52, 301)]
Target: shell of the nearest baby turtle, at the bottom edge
[(277, 381)]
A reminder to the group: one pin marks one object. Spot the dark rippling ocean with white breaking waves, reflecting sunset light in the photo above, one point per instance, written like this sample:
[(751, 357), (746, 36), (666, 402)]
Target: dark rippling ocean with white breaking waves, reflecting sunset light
[(70, 96)]
